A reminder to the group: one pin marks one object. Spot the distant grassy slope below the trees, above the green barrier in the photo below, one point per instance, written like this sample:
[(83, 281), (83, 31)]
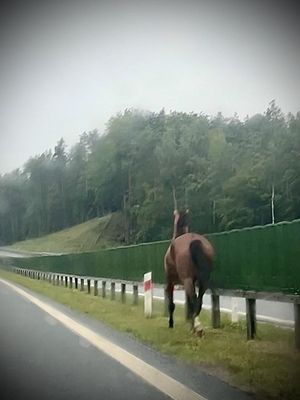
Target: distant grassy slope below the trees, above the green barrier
[(94, 234)]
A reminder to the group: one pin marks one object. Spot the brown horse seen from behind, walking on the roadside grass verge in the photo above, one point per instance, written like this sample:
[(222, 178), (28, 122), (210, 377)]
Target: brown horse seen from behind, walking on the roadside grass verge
[(188, 261)]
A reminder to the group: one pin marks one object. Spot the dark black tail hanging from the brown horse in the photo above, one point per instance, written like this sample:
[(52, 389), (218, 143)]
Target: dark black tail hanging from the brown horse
[(201, 262)]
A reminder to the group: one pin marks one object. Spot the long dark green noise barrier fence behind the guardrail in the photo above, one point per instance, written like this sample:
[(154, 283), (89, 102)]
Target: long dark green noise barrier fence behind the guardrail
[(263, 258)]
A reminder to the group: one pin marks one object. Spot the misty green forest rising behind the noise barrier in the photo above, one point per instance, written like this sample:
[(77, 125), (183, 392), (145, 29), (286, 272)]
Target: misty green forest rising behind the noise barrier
[(229, 174)]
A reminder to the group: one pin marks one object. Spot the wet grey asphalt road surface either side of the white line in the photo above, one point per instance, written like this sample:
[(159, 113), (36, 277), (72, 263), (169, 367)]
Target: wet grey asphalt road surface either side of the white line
[(40, 358)]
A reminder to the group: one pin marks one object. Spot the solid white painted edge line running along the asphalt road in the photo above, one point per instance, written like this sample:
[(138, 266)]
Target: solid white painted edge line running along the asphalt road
[(152, 375)]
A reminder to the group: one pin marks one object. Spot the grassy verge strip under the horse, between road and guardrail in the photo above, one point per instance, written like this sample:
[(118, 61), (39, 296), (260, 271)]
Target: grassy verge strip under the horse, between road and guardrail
[(268, 366)]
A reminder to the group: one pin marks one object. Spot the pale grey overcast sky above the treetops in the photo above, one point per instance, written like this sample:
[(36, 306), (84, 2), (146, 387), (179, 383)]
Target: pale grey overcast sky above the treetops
[(67, 66)]
